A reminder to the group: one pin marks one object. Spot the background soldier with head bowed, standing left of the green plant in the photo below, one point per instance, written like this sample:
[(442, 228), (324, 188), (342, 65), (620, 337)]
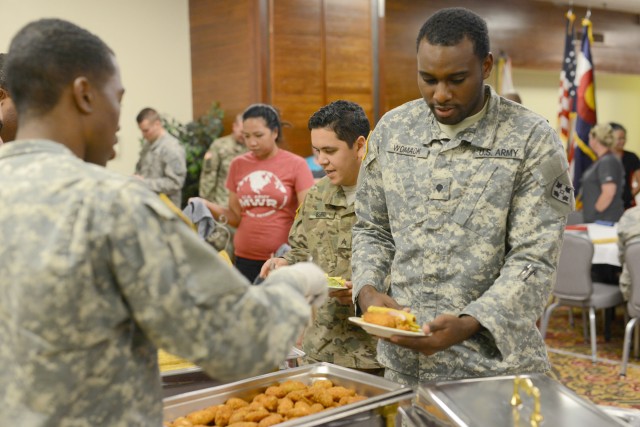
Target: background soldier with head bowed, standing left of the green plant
[(162, 165)]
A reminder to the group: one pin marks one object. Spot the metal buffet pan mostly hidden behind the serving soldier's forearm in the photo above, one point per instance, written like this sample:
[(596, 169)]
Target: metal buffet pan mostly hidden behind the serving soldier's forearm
[(183, 380)]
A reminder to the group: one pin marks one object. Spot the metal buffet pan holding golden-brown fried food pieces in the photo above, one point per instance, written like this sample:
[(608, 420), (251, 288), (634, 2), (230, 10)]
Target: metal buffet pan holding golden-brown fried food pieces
[(379, 409)]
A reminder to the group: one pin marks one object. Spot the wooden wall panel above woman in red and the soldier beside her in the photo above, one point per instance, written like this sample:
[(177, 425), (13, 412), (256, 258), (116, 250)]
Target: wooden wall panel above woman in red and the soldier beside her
[(321, 50)]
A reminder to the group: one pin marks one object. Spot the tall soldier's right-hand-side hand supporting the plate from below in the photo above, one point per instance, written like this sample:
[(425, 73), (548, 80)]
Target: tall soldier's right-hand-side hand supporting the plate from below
[(443, 332)]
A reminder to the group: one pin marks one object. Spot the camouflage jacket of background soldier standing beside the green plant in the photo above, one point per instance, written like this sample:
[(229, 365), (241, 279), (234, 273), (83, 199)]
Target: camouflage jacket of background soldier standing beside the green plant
[(163, 166)]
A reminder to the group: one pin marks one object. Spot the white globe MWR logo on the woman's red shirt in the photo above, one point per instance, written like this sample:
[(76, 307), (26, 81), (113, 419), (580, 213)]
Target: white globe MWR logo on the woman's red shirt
[(261, 193)]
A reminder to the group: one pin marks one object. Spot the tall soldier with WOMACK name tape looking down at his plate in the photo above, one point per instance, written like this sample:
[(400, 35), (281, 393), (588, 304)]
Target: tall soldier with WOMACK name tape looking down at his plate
[(463, 199)]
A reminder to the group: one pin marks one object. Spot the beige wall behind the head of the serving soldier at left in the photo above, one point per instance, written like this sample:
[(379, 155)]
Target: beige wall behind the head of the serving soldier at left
[(151, 41)]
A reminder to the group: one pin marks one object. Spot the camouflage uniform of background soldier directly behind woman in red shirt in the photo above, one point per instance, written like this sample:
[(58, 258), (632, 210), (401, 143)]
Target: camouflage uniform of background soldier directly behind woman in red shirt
[(215, 168)]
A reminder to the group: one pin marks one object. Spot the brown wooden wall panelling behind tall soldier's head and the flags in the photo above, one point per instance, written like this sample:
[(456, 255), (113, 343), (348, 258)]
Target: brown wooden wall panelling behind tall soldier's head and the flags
[(531, 32)]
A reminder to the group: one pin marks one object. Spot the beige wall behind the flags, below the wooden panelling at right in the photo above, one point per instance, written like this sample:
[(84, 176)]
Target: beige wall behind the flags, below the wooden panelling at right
[(617, 98)]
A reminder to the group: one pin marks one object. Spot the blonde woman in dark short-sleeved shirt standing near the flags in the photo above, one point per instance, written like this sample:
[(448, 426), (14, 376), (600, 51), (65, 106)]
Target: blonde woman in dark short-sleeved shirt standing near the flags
[(603, 181)]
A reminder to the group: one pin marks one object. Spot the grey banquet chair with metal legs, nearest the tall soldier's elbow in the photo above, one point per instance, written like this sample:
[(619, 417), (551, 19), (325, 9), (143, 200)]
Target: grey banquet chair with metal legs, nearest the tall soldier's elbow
[(574, 287)]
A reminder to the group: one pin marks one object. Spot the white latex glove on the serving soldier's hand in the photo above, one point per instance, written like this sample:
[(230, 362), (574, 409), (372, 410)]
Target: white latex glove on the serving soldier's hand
[(305, 276)]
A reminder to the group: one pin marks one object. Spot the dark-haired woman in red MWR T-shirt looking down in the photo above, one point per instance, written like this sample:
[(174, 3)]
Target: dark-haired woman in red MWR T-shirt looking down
[(265, 185)]
